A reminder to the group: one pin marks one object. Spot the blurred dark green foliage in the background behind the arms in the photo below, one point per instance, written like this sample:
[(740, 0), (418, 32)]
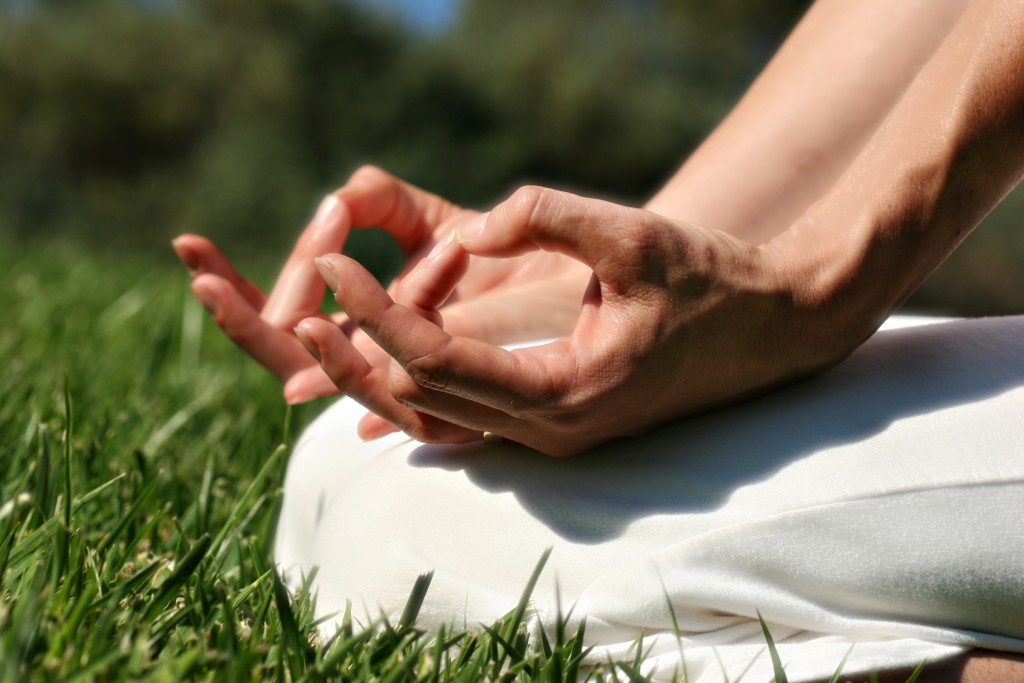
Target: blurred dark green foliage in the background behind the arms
[(123, 122)]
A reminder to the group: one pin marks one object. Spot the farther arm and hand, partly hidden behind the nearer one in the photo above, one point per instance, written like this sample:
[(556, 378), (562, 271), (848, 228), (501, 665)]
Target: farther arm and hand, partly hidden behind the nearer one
[(750, 177)]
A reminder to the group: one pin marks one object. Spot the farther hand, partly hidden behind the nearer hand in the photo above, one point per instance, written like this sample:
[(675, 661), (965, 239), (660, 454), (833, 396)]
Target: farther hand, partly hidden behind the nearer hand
[(486, 304)]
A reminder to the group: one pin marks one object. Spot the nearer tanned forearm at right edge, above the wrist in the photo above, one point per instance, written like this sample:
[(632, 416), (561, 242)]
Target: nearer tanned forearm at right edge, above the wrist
[(948, 153)]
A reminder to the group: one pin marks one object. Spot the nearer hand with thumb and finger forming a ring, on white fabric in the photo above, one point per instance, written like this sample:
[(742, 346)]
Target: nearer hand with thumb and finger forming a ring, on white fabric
[(678, 320)]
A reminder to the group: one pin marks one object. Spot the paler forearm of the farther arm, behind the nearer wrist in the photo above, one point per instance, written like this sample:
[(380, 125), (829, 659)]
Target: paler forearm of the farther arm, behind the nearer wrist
[(807, 116)]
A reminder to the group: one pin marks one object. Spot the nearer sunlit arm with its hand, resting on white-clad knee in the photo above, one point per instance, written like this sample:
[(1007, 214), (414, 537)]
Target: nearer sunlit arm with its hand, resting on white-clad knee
[(680, 319)]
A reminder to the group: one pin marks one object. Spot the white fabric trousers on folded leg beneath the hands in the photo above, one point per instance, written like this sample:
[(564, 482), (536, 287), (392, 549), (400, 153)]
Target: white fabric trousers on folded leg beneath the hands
[(879, 504)]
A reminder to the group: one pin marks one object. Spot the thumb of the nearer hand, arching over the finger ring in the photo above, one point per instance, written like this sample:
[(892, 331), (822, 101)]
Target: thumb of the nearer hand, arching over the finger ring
[(609, 238)]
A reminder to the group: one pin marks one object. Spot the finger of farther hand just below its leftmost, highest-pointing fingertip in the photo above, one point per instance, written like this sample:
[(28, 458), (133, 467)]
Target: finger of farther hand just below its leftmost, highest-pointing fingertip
[(274, 349)]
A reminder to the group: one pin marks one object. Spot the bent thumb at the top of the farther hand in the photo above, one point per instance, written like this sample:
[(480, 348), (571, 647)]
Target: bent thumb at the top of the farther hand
[(376, 198)]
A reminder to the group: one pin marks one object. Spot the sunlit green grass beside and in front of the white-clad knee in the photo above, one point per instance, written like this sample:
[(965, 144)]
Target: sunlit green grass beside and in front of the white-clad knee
[(142, 462)]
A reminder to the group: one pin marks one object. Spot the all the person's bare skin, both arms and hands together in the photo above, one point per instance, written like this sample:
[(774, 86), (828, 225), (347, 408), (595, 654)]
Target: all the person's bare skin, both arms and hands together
[(872, 145)]
